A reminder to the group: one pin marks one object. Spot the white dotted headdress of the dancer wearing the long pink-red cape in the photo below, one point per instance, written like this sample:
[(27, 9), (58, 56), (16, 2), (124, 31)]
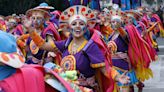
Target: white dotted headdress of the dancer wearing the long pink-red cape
[(117, 14)]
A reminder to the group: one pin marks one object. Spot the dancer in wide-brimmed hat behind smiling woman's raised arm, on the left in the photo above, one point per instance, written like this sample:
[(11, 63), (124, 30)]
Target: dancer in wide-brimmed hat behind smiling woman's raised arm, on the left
[(38, 17)]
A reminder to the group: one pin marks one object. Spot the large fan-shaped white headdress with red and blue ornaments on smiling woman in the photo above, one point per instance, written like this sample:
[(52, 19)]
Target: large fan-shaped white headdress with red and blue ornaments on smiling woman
[(77, 12)]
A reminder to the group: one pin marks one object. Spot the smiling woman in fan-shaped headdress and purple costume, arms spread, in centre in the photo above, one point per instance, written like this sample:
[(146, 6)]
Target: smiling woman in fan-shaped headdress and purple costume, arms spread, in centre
[(80, 52)]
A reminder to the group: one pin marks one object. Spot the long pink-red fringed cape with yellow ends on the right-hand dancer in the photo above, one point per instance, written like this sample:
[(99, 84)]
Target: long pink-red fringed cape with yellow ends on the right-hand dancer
[(139, 54)]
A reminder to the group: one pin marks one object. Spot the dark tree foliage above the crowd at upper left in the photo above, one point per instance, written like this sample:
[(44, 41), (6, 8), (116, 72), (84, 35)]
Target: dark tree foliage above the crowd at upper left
[(8, 7)]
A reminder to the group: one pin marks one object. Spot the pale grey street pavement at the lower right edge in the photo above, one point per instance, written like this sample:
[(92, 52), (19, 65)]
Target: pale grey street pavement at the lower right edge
[(156, 84)]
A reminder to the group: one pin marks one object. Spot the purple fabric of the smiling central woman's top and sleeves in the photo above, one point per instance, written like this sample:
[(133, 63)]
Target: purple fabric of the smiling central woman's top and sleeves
[(83, 63)]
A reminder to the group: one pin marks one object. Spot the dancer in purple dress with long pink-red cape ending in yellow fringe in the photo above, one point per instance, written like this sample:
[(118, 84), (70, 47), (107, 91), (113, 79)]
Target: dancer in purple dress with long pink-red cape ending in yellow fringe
[(121, 42)]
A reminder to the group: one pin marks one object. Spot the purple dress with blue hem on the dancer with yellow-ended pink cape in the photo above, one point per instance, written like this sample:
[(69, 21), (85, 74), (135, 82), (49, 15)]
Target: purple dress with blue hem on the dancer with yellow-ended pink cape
[(123, 63)]
